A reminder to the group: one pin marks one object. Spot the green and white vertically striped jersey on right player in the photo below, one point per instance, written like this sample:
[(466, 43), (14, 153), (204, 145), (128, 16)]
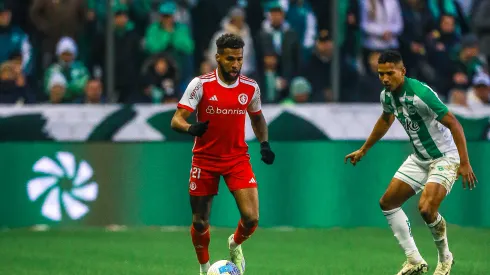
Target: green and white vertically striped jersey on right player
[(419, 109)]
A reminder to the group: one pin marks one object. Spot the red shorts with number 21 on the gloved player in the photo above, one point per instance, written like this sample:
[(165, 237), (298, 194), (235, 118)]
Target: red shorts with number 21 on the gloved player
[(205, 182)]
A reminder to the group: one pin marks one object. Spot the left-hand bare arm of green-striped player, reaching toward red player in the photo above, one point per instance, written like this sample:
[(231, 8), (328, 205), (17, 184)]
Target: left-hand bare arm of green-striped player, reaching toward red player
[(380, 129)]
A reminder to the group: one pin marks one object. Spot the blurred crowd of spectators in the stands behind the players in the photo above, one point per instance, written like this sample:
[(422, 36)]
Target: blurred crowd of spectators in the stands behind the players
[(55, 51)]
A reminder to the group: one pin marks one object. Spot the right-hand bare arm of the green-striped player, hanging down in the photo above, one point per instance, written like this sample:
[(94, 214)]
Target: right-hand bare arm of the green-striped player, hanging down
[(465, 170)]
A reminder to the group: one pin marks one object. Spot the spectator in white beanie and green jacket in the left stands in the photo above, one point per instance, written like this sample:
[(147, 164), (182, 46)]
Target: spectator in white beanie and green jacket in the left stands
[(75, 73)]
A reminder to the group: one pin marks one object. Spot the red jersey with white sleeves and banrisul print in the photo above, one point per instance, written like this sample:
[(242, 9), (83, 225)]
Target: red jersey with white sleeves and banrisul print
[(225, 106)]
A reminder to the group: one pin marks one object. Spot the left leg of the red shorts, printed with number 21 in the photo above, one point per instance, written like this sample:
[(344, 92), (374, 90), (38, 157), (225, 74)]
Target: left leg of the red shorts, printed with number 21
[(203, 182)]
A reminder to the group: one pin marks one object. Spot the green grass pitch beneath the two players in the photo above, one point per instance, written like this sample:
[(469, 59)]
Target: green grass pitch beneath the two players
[(299, 251)]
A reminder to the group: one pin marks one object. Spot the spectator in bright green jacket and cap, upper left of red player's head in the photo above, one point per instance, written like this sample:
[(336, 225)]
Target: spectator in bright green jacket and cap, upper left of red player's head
[(172, 38)]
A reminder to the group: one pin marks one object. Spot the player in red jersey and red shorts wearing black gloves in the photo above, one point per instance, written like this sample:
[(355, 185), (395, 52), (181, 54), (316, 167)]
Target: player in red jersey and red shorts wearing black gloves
[(221, 100)]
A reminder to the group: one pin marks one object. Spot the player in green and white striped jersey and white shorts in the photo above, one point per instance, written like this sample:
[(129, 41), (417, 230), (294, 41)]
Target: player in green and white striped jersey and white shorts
[(439, 158)]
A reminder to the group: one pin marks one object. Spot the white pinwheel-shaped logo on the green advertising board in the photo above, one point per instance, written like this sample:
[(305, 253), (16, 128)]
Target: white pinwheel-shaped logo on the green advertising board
[(64, 186)]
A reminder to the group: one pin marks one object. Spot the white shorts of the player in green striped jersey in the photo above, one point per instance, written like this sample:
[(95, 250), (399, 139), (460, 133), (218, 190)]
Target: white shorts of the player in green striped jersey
[(416, 172)]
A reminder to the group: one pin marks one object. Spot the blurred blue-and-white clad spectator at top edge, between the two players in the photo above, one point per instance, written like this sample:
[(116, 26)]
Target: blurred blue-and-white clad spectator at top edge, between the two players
[(303, 21)]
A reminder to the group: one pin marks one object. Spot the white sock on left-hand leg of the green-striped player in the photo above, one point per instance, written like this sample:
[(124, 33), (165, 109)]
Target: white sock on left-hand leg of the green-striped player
[(400, 225)]
